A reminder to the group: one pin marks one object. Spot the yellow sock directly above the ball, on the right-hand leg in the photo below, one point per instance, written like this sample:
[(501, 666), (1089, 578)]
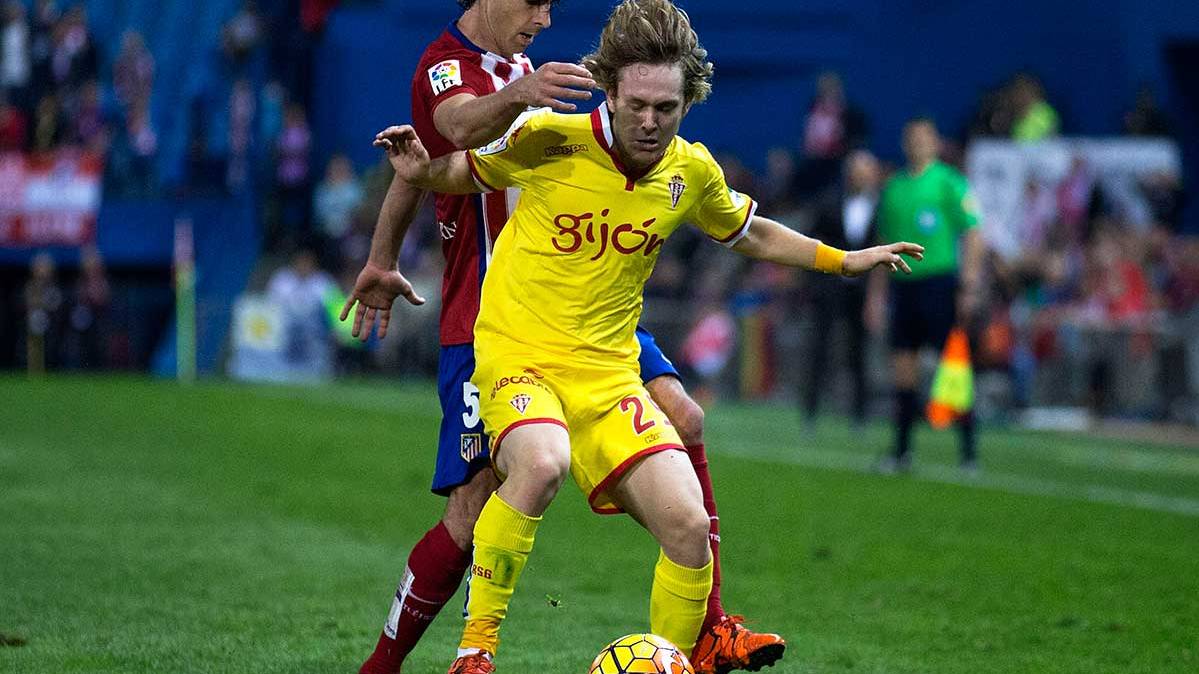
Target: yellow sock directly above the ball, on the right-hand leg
[(679, 603)]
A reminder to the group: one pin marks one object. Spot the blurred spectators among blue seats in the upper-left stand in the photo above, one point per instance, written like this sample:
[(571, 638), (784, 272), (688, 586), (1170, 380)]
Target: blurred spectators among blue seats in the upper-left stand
[(248, 128)]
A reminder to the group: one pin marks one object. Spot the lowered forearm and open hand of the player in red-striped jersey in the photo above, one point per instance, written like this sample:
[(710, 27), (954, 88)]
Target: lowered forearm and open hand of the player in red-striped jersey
[(381, 282)]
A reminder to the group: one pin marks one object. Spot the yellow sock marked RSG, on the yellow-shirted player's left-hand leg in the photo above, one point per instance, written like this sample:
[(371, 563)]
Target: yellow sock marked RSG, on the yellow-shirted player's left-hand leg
[(503, 541)]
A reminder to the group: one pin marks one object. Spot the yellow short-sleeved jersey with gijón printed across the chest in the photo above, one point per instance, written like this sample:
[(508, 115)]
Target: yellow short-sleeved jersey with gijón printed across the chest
[(569, 269)]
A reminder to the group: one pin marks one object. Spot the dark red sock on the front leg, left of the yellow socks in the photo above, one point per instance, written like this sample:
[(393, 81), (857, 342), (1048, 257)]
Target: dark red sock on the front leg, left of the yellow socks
[(435, 571)]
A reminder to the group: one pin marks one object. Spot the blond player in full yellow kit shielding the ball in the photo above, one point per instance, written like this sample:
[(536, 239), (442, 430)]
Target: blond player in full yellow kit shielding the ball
[(555, 341)]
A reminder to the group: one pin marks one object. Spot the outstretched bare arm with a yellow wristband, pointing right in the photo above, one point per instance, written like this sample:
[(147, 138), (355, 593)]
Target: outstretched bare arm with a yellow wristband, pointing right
[(772, 242)]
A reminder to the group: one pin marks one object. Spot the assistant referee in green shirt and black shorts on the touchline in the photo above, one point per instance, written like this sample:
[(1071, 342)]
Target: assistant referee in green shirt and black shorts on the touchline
[(927, 203)]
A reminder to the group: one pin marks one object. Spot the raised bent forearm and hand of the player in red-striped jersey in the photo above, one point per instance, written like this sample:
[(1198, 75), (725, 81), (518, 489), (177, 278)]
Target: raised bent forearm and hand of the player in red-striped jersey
[(474, 122)]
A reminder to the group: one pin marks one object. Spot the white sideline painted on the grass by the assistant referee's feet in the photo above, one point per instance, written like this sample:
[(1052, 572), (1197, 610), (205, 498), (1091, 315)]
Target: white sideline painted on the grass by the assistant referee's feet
[(999, 482)]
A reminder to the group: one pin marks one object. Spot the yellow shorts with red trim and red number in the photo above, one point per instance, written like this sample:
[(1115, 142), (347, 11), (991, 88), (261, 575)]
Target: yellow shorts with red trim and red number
[(610, 416)]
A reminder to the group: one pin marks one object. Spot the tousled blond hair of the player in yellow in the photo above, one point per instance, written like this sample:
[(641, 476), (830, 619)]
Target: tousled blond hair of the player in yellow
[(654, 33)]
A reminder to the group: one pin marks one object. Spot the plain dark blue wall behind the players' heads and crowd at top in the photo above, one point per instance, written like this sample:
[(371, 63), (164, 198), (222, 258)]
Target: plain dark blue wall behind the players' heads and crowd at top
[(899, 58)]
